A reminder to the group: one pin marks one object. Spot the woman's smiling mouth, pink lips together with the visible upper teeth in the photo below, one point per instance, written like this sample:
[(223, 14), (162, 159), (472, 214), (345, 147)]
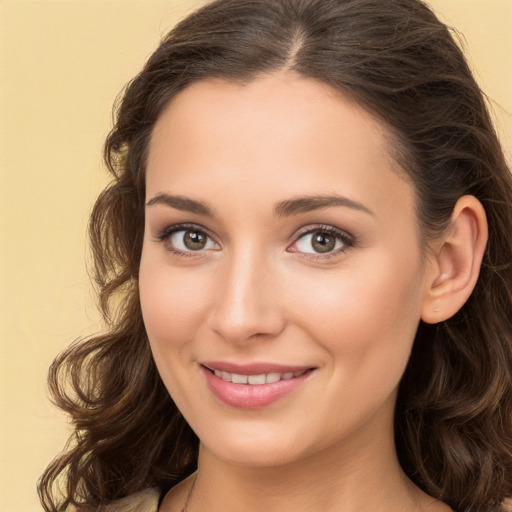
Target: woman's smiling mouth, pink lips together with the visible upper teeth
[(253, 386)]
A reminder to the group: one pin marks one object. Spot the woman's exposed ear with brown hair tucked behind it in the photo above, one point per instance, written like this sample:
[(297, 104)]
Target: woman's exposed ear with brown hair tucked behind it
[(454, 263)]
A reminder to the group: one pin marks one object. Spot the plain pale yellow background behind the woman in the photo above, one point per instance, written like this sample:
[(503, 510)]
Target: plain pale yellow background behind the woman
[(62, 63)]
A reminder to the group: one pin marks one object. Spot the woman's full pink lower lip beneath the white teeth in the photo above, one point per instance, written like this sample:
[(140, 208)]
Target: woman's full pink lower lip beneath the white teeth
[(248, 396)]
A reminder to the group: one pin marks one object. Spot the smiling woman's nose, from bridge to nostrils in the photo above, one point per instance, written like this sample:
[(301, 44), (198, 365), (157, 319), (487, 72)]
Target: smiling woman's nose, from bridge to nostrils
[(246, 306)]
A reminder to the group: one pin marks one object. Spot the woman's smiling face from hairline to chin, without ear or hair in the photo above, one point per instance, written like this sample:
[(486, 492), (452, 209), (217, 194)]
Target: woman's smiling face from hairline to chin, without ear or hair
[(281, 278)]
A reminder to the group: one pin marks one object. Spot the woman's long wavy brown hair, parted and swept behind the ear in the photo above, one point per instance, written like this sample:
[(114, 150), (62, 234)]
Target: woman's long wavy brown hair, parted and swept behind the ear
[(453, 418)]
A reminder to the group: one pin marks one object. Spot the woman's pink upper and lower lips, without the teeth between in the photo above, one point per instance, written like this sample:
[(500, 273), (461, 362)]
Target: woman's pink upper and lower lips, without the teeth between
[(249, 396)]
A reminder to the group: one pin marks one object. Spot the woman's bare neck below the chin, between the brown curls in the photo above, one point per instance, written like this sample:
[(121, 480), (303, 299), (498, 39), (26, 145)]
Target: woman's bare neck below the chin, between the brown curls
[(358, 474)]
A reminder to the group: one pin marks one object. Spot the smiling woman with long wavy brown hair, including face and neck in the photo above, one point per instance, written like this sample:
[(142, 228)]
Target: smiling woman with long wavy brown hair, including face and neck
[(304, 263)]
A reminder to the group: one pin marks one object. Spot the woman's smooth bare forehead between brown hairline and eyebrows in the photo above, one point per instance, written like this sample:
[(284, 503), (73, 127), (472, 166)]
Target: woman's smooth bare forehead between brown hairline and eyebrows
[(280, 135)]
